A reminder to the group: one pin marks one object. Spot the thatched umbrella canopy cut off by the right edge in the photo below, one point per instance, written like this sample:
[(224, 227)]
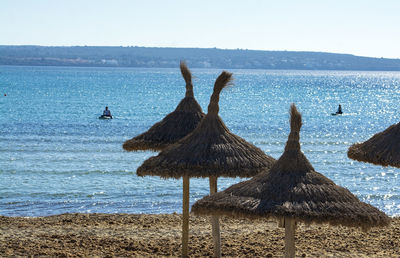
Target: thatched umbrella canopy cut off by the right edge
[(381, 149)]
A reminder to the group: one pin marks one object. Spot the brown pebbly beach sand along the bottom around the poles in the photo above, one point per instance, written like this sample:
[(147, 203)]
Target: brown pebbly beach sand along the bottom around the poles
[(109, 235)]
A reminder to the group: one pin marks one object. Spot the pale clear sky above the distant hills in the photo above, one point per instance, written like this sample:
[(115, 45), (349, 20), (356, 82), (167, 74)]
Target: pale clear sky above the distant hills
[(360, 27)]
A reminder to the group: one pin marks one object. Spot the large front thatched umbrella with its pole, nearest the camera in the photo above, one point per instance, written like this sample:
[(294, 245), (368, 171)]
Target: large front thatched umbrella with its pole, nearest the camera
[(292, 191)]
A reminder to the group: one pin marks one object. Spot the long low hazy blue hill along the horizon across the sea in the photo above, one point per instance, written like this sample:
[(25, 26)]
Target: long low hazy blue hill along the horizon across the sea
[(195, 57)]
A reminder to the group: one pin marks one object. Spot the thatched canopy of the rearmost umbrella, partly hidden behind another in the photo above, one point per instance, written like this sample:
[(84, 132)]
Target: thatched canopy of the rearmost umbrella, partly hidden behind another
[(177, 124)]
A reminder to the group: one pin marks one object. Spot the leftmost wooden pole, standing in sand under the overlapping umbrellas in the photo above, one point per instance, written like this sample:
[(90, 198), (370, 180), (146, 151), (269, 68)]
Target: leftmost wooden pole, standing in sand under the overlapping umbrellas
[(185, 217)]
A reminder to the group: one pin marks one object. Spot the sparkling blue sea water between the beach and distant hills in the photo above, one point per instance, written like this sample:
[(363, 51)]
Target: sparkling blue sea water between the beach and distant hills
[(57, 157)]
